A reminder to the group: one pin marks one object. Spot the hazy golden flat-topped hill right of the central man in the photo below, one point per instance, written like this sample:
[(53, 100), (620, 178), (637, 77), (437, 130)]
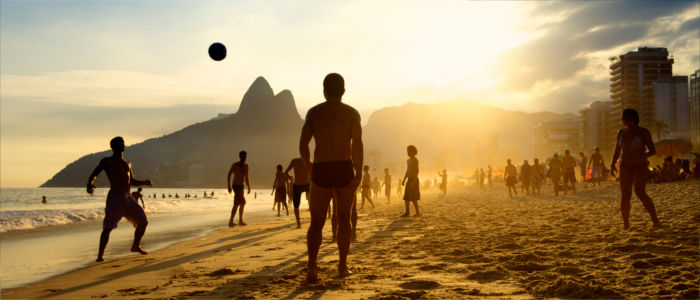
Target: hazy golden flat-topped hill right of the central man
[(446, 134)]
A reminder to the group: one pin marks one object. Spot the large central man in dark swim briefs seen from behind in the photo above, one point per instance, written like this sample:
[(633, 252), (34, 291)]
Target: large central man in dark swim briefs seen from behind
[(337, 168)]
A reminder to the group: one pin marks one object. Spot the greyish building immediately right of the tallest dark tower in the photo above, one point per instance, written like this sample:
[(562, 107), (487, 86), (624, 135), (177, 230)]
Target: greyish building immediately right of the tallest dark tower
[(667, 100)]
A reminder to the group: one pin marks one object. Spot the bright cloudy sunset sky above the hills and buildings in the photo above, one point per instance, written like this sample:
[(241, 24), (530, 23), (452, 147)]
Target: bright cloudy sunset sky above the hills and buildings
[(73, 74)]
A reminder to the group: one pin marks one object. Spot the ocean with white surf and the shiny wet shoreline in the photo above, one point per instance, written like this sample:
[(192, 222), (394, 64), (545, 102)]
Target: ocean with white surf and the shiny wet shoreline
[(69, 224)]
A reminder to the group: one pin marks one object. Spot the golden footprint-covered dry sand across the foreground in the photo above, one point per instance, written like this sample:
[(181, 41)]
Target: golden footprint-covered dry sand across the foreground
[(470, 244)]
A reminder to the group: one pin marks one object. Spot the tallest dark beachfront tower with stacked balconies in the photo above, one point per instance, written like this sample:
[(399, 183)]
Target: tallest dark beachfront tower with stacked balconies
[(630, 73)]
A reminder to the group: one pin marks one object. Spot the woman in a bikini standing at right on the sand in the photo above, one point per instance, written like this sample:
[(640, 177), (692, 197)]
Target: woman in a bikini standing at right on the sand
[(634, 147)]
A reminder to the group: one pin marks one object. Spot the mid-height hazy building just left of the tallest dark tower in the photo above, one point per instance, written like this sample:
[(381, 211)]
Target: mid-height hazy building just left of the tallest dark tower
[(594, 127)]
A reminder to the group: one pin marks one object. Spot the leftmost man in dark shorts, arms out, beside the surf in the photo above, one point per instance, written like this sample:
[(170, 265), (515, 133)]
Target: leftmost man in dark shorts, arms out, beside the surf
[(119, 201)]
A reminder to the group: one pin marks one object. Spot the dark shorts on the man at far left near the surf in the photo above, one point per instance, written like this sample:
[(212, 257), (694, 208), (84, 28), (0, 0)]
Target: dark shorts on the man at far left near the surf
[(122, 205)]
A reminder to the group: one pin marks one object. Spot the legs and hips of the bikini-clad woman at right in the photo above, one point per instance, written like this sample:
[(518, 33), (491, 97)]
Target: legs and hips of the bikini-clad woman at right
[(634, 176)]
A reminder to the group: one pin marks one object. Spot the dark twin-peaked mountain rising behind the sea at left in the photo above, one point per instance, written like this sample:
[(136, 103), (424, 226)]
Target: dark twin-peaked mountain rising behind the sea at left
[(266, 125)]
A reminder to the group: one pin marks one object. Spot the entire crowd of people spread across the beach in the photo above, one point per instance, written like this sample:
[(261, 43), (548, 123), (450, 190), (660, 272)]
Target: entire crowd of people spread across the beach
[(337, 174)]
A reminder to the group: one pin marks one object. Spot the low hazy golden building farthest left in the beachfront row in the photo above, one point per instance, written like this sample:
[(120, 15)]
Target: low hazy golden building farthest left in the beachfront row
[(556, 136)]
